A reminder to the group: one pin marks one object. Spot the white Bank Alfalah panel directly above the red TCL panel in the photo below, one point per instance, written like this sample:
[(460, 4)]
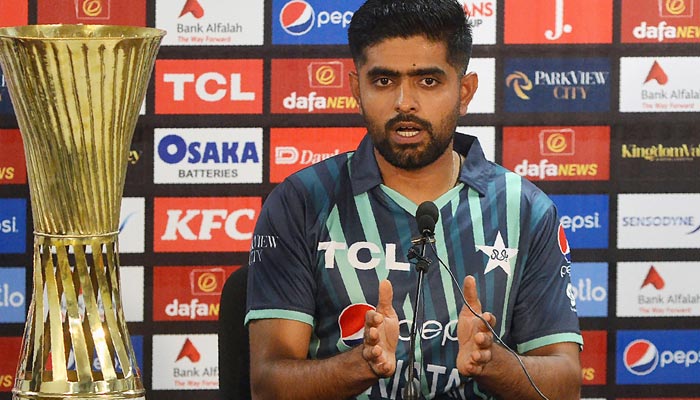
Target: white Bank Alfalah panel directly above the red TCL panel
[(211, 23)]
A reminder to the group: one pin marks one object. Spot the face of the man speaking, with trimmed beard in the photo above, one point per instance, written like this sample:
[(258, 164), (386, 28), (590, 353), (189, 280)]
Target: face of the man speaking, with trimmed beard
[(411, 99)]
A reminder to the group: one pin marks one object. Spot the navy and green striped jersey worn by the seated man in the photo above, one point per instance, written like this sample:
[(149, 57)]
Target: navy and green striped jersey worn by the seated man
[(330, 233)]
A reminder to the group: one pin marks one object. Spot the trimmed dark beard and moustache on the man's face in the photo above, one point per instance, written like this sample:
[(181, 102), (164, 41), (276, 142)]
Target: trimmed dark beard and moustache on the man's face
[(413, 156)]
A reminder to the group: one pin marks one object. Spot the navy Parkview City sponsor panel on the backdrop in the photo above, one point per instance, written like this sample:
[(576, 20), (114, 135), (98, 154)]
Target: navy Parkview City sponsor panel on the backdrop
[(568, 85)]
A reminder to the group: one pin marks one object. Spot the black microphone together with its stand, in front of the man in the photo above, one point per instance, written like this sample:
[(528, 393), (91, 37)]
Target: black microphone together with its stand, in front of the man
[(427, 215)]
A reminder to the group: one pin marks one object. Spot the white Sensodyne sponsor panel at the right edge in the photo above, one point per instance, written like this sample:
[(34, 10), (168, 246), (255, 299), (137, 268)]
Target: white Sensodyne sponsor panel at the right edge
[(658, 221)]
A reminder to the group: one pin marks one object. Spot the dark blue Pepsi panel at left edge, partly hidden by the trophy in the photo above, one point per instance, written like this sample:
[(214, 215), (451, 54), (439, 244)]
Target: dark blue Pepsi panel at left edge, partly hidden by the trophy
[(13, 225)]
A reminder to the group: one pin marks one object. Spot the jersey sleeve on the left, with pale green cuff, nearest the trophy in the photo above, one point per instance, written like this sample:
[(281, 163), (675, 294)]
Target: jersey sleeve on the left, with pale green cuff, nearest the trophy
[(280, 281)]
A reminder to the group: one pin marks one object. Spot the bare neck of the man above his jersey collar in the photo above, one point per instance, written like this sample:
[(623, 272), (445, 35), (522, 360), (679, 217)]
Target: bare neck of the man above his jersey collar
[(424, 184)]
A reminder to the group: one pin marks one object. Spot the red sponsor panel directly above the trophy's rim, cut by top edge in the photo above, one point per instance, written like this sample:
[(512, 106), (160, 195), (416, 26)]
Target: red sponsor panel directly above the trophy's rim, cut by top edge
[(104, 12)]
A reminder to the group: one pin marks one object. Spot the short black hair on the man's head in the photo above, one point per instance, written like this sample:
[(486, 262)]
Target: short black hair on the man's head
[(438, 20)]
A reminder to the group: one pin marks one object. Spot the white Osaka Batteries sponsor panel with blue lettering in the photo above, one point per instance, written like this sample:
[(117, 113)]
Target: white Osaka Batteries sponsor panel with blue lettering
[(207, 155)]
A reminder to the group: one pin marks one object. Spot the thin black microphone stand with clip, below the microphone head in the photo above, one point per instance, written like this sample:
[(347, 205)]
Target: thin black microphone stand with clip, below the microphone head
[(412, 390)]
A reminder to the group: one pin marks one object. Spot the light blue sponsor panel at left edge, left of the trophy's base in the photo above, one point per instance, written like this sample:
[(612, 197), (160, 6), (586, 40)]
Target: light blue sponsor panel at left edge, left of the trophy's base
[(13, 296)]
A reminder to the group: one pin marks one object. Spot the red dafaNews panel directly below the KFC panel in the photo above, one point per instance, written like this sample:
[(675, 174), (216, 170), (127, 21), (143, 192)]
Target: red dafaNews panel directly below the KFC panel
[(188, 293)]
